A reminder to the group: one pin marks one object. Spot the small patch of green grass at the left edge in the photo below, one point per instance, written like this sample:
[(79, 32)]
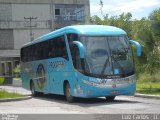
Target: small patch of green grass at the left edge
[(4, 94)]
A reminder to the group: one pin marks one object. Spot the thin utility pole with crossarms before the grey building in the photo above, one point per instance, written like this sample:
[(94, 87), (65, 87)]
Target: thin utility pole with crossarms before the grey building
[(31, 26)]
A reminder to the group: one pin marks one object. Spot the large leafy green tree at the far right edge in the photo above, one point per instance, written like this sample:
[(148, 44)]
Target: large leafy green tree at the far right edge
[(147, 31)]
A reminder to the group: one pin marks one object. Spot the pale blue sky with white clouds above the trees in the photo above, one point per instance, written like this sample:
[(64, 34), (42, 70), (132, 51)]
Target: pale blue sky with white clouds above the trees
[(138, 8)]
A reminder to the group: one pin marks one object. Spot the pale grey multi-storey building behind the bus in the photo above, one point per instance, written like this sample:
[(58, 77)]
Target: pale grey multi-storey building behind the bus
[(24, 20)]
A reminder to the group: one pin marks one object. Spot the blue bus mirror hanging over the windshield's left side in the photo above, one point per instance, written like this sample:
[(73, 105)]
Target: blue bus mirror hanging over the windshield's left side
[(80, 47)]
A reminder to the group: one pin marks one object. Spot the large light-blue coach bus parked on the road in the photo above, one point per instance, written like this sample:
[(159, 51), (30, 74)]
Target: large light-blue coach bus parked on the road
[(84, 61)]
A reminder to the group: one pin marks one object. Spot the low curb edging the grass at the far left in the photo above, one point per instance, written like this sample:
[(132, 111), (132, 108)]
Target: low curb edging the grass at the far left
[(15, 99)]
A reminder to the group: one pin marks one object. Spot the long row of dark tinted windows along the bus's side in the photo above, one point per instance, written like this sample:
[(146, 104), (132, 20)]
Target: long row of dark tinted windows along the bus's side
[(52, 48)]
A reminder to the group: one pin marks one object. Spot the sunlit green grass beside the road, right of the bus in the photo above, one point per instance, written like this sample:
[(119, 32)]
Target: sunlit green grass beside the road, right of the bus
[(148, 84)]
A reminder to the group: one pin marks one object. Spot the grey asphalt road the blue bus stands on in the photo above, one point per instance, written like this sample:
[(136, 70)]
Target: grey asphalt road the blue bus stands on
[(54, 104)]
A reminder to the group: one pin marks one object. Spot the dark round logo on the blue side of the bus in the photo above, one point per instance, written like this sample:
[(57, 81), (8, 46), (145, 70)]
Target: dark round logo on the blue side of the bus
[(40, 74)]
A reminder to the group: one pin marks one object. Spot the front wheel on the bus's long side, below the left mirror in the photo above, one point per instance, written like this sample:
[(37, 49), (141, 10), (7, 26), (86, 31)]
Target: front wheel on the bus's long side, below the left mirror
[(68, 95)]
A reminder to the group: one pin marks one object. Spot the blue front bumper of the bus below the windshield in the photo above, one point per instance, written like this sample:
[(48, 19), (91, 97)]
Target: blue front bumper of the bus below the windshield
[(92, 90)]
